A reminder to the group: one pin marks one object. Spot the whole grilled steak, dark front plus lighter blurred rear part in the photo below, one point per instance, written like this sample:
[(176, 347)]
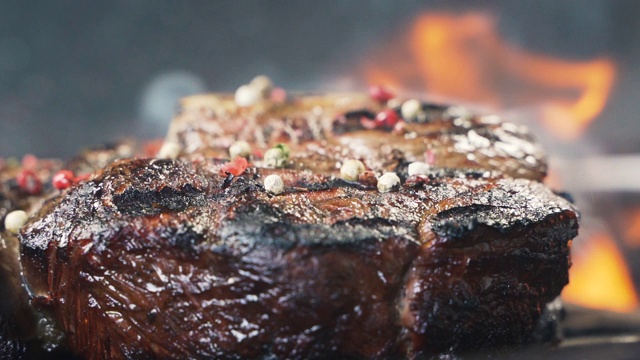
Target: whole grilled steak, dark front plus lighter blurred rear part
[(179, 257)]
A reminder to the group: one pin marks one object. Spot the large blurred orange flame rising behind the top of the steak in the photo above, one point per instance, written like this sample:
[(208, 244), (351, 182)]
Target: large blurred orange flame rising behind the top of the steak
[(464, 57)]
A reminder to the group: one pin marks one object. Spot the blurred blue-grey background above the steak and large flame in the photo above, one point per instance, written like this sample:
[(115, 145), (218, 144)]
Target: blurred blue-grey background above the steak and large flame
[(78, 73)]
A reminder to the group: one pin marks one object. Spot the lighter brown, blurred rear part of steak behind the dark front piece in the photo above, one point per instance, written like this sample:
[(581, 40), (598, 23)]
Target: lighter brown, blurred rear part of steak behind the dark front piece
[(324, 130)]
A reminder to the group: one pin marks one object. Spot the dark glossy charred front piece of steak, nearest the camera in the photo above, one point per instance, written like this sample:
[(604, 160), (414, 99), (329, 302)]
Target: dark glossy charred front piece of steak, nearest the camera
[(325, 270)]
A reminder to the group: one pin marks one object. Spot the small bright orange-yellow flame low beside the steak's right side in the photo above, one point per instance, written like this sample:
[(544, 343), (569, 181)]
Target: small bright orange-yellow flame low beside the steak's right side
[(599, 277)]
